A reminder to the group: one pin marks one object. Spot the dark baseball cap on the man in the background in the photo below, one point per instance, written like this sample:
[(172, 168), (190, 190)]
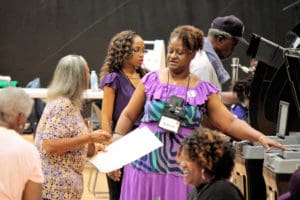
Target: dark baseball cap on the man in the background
[(230, 24)]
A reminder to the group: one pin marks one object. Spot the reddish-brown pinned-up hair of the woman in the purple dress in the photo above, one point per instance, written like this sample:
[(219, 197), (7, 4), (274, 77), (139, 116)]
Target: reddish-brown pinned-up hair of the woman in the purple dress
[(192, 37)]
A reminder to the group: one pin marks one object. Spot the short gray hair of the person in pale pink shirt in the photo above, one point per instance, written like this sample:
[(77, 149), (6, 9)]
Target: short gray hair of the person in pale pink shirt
[(14, 101)]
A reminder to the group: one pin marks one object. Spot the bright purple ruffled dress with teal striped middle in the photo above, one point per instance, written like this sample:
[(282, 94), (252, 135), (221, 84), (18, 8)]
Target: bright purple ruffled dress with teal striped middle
[(157, 176)]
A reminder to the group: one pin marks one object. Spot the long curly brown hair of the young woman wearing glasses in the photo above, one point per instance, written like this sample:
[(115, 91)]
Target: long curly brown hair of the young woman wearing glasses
[(119, 50)]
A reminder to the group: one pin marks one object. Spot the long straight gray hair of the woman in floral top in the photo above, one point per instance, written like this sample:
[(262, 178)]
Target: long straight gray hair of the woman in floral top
[(69, 80)]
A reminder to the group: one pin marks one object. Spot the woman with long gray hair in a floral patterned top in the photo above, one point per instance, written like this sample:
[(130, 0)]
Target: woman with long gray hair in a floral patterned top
[(62, 136)]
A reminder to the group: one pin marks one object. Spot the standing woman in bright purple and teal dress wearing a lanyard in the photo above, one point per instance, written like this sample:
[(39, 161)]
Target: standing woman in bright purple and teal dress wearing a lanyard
[(173, 102)]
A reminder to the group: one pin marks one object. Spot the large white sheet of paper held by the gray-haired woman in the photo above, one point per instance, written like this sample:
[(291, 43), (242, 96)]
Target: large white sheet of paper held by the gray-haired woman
[(132, 146)]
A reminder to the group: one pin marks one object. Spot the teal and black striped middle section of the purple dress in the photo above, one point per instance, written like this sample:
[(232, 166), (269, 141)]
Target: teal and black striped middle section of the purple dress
[(163, 160)]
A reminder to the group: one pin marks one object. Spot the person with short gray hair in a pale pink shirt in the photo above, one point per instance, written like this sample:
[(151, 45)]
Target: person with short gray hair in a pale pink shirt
[(21, 173)]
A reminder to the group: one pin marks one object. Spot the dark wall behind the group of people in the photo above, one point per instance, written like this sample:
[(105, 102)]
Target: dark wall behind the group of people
[(34, 34)]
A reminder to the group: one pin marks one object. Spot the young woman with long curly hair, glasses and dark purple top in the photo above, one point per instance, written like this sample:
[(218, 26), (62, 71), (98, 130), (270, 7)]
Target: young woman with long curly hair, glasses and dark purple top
[(120, 74)]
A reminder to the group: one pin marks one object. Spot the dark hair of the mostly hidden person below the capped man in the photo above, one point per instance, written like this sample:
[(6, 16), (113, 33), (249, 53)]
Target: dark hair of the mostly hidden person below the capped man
[(242, 88)]
